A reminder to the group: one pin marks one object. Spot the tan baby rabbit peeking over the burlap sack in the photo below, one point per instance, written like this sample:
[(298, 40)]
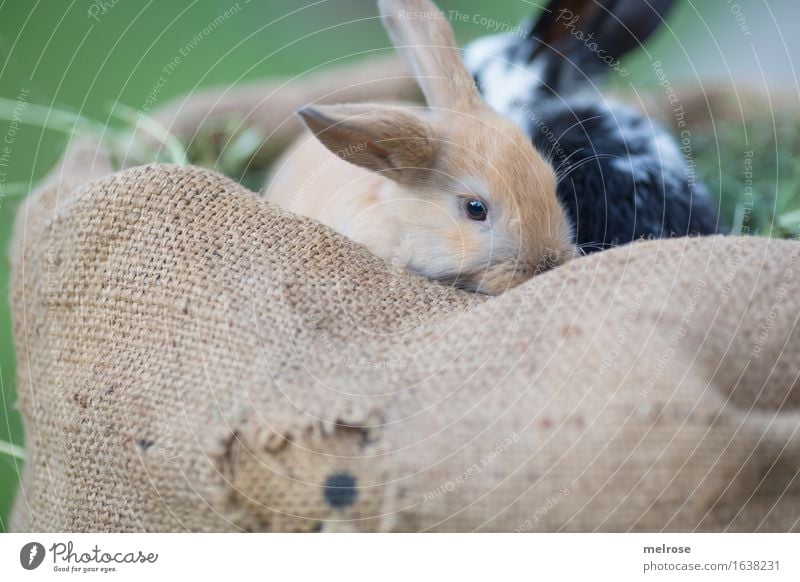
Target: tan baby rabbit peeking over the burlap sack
[(454, 191)]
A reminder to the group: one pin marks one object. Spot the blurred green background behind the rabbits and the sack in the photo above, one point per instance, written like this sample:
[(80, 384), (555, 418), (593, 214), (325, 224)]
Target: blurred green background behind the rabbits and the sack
[(85, 56)]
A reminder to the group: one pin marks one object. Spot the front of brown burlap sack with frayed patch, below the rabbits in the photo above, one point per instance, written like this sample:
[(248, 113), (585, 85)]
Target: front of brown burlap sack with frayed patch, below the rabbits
[(193, 358)]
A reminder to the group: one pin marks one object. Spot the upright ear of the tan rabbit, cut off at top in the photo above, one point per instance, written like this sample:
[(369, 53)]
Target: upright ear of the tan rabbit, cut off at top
[(423, 37)]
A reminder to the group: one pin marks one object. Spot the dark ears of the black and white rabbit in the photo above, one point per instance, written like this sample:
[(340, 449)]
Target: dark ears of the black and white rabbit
[(616, 26)]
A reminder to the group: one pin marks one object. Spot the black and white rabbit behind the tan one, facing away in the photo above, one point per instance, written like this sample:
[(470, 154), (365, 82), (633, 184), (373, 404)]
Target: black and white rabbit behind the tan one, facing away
[(621, 175)]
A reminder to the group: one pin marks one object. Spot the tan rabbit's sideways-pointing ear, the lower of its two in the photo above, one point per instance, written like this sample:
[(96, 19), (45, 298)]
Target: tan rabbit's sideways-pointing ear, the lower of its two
[(377, 137)]
